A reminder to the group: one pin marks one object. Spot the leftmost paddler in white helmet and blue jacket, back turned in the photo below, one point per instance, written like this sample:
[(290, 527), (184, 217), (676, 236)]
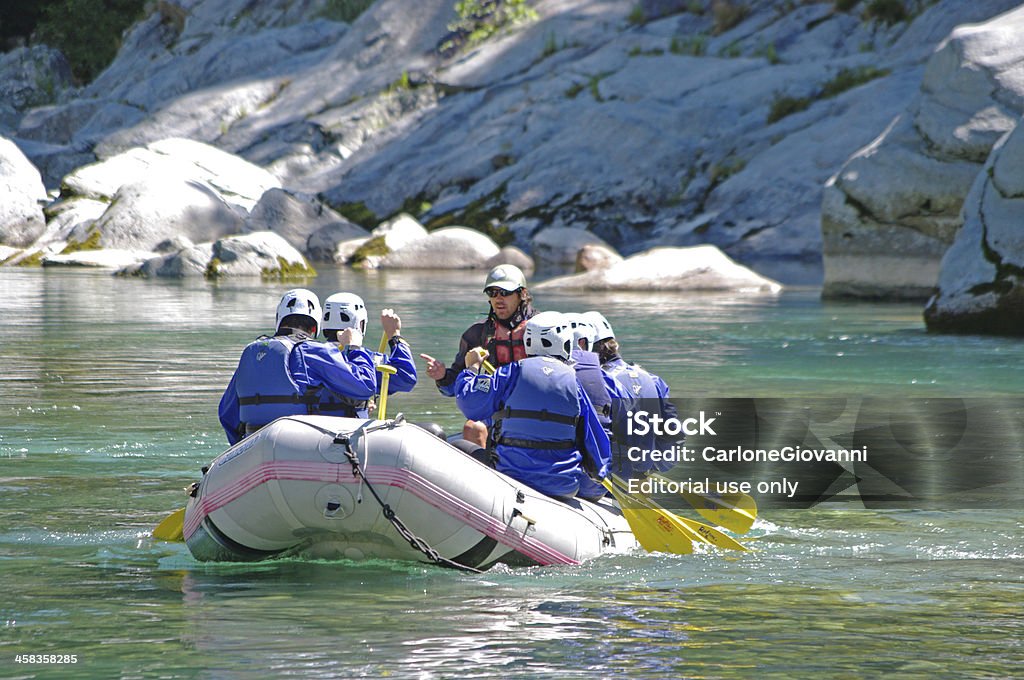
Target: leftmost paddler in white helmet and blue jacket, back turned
[(287, 374)]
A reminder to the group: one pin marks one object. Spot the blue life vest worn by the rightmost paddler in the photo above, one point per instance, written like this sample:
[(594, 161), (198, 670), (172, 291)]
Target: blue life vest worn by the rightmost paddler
[(634, 385)]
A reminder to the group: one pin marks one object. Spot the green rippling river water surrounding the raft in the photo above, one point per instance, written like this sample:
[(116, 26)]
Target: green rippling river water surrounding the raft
[(109, 391)]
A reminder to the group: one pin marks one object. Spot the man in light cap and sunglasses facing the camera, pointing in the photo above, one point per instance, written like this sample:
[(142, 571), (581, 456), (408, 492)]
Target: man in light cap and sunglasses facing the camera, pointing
[(510, 306)]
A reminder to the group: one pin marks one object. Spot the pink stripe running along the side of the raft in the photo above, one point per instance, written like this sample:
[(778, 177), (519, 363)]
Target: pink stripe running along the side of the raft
[(405, 480)]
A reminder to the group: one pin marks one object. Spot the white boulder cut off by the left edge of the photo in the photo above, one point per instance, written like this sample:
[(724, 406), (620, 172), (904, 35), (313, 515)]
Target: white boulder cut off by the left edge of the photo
[(21, 193)]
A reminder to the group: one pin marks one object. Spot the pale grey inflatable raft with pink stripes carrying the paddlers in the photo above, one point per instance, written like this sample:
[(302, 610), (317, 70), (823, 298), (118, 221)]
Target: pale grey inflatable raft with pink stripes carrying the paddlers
[(330, 488)]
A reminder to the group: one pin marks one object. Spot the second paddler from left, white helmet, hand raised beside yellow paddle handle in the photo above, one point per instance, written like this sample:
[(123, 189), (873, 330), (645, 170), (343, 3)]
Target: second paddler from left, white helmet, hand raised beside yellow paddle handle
[(348, 311)]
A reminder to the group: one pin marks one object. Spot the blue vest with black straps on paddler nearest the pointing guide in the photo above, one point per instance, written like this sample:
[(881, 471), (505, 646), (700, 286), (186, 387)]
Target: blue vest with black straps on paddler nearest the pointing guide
[(543, 410)]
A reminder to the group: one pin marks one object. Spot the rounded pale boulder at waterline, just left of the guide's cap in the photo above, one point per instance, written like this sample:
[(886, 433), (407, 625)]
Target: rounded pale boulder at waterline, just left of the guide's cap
[(450, 248)]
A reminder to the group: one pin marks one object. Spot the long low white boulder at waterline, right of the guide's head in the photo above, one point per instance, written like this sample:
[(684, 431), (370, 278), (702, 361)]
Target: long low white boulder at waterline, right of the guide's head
[(700, 269)]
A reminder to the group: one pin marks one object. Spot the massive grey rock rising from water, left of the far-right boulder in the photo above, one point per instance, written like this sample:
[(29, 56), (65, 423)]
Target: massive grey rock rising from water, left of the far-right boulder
[(892, 211)]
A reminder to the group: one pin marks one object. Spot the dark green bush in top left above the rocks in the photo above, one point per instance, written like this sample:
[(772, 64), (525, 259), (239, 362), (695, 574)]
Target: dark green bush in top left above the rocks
[(89, 32)]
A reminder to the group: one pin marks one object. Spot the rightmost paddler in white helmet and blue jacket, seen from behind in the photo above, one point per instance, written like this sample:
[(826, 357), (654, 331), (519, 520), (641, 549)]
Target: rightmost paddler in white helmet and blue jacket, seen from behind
[(636, 390)]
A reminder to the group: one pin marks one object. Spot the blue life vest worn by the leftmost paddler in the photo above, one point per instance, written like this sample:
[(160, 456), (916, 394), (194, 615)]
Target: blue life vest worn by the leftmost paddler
[(268, 390)]
